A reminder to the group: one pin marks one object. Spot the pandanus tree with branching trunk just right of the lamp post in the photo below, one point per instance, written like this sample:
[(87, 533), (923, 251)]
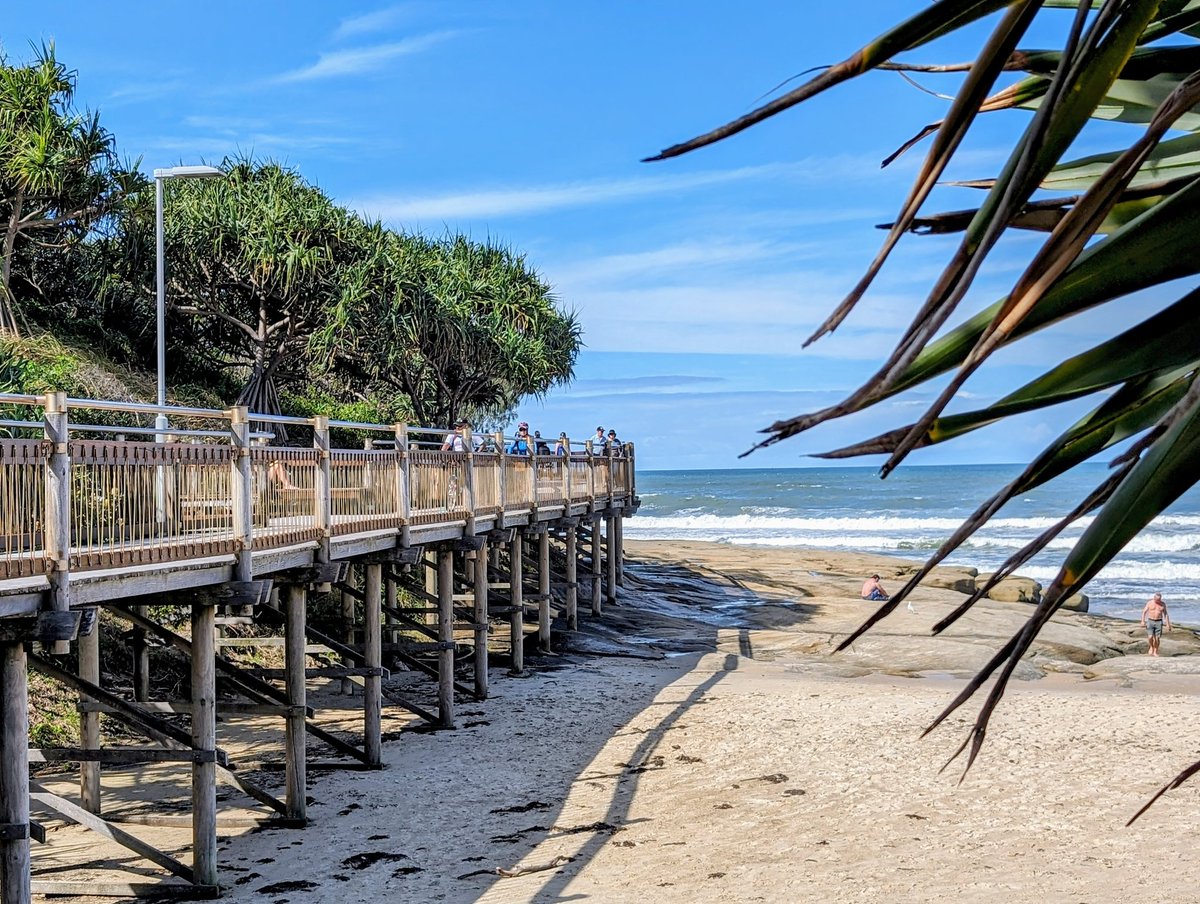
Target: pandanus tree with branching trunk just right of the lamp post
[(260, 259)]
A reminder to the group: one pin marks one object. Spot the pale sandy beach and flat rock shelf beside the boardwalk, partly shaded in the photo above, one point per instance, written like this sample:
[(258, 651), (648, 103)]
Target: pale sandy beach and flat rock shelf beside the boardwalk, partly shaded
[(700, 744)]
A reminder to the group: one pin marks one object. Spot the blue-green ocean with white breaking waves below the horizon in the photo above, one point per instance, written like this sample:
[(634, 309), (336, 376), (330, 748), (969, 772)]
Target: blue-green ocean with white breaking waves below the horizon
[(913, 512)]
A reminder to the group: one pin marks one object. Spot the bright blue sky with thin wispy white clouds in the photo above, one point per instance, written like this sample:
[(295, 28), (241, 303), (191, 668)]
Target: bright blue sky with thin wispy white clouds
[(697, 279)]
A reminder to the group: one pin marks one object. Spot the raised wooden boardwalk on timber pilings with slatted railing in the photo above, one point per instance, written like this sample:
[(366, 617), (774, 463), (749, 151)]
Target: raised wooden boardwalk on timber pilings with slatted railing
[(209, 517)]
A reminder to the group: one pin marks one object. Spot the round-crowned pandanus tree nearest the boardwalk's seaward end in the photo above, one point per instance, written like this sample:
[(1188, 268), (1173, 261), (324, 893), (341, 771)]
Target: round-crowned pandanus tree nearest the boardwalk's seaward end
[(453, 327)]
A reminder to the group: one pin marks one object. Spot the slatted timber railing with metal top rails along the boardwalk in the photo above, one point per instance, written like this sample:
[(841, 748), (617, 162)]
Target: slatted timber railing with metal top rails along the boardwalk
[(74, 505)]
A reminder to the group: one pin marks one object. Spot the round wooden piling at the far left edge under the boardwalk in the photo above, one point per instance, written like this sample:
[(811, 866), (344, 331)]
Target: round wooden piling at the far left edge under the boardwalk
[(15, 883)]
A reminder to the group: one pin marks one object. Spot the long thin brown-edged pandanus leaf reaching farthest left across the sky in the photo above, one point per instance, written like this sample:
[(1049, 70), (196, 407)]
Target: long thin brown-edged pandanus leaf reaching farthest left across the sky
[(937, 20)]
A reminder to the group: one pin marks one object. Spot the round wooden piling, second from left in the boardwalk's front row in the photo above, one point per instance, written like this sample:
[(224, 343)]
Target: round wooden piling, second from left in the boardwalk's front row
[(205, 738)]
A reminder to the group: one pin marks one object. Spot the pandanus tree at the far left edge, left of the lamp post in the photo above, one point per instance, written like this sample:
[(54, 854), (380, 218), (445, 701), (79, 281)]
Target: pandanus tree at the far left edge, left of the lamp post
[(59, 171)]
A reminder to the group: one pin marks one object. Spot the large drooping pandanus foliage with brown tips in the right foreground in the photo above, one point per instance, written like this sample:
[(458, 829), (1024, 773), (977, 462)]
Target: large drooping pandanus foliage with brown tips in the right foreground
[(1117, 224)]
